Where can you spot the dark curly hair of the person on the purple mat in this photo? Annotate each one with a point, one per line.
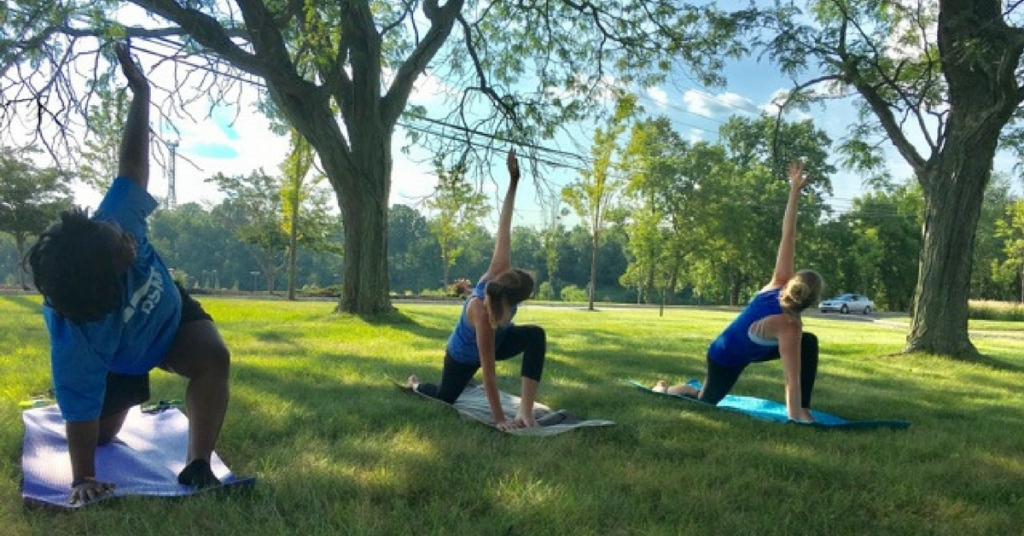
(77, 265)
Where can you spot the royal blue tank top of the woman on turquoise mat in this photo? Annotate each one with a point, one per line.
(735, 347)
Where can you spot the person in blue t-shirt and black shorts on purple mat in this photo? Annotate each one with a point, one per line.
(114, 314)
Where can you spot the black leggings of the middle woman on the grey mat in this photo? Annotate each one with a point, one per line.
(529, 341)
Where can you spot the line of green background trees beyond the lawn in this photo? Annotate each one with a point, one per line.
(690, 224)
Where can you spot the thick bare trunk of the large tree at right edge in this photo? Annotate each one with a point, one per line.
(979, 55)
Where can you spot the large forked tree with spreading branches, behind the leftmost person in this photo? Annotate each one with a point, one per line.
(342, 74)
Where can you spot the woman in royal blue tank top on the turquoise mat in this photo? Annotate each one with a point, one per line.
(771, 327)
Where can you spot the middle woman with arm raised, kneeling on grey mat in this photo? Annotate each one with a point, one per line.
(485, 334)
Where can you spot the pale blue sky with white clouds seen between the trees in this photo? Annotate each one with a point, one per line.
(239, 141)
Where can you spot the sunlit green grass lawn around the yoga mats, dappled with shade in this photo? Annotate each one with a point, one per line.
(339, 451)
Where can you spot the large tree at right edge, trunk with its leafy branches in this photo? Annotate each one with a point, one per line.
(941, 81)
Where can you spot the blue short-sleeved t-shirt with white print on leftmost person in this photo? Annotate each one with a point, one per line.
(133, 339)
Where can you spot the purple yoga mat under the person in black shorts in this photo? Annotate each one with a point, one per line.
(144, 460)
